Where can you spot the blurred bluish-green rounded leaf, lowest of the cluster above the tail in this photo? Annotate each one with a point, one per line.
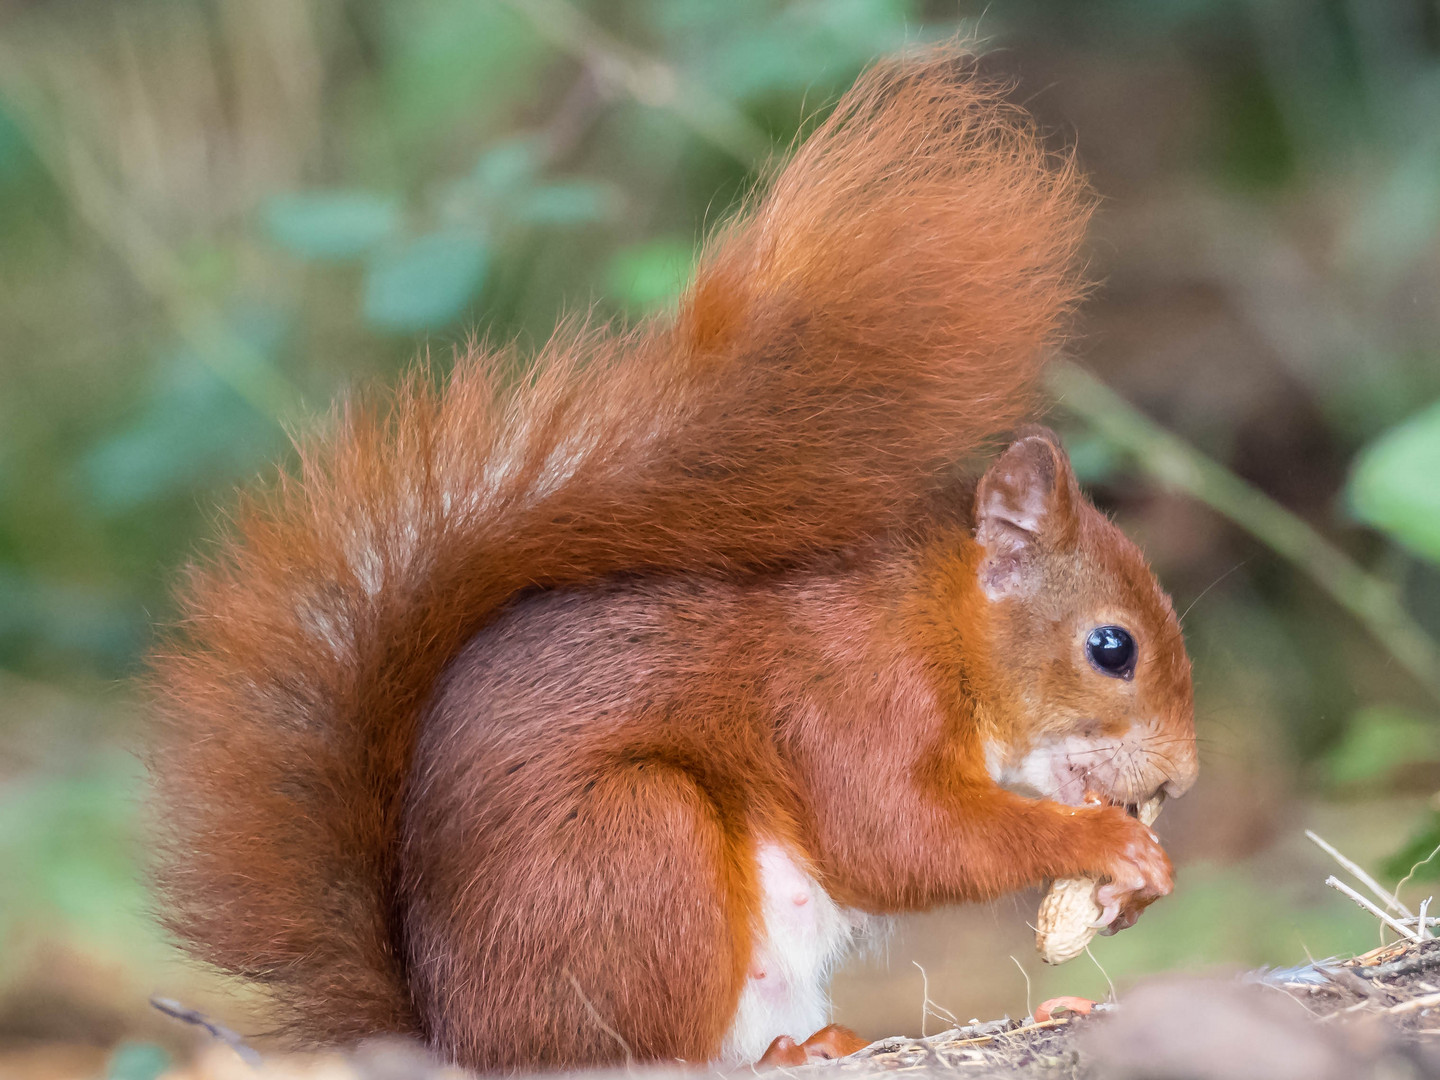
(427, 283)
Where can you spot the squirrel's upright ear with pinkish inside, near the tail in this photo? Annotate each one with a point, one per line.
(1027, 502)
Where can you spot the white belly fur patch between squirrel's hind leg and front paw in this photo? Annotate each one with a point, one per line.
(804, 935)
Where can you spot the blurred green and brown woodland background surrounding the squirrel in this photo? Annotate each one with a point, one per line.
(218, 214)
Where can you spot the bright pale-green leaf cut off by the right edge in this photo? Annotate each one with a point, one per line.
(1393, 486)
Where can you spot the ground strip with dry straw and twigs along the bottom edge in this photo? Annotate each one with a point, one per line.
(1370, 1017)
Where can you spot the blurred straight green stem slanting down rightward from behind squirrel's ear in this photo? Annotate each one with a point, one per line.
(1180, 467)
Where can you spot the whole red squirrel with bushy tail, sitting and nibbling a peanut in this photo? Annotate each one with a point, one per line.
(584, 712)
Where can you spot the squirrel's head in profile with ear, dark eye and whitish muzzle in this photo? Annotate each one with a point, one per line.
(1086, 689)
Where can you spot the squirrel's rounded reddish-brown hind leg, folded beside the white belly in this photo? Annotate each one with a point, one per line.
(577, 921)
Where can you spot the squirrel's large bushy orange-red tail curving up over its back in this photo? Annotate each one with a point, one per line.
(878, 316)
